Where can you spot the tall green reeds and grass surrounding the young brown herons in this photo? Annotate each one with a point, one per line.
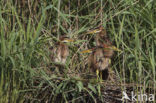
(29, 28)
